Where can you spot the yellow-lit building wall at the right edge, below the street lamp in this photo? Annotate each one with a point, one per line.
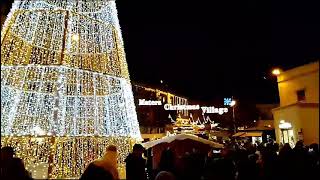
(303, 115)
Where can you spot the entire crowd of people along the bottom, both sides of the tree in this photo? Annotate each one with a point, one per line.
(236, 161)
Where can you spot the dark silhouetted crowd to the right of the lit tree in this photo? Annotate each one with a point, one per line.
(236, 161)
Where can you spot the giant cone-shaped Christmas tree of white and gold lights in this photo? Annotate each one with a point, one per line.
(65, 87)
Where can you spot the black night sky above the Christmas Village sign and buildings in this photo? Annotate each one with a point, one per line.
(207, 50)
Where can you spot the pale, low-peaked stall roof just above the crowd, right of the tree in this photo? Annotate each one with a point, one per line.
(170, 139)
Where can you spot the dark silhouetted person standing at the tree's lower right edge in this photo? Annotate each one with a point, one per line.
(135, 164)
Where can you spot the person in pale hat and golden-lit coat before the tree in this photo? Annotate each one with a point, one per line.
(103, 168)
